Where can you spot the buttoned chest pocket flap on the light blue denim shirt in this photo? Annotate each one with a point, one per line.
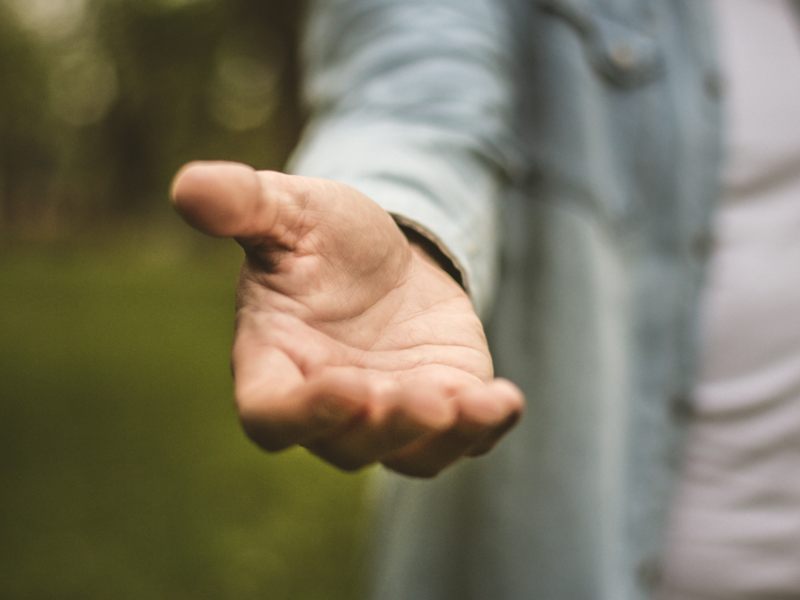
(622, 55)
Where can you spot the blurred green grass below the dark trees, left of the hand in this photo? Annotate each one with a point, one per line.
(124, 471)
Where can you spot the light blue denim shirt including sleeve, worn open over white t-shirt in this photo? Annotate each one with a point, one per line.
(565, 155)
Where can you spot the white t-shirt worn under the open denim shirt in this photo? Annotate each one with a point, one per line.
(736, 524)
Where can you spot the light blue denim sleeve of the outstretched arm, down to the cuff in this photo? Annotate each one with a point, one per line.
(410, 104)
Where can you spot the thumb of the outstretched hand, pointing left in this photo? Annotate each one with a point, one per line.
(223, 199)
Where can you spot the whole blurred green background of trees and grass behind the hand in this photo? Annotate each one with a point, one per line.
(124, 472)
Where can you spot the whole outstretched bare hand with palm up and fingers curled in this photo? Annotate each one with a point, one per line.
(349, 340)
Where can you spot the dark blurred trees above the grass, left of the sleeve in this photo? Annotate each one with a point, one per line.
(105, 99)
